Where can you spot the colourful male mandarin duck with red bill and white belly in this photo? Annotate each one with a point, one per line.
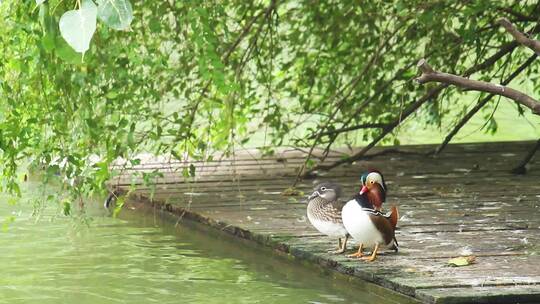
(368, 226)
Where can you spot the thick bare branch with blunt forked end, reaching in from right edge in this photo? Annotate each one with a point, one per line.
(430, 75)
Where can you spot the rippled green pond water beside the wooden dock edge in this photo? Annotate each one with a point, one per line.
(141, 257)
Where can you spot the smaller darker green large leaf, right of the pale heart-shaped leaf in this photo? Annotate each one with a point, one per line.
(117, 14)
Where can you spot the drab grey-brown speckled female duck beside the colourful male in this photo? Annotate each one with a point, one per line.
(324, 213)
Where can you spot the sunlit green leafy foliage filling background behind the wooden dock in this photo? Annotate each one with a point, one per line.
(193, 77)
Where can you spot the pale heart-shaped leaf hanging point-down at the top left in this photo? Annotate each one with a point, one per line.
(78, 26)
